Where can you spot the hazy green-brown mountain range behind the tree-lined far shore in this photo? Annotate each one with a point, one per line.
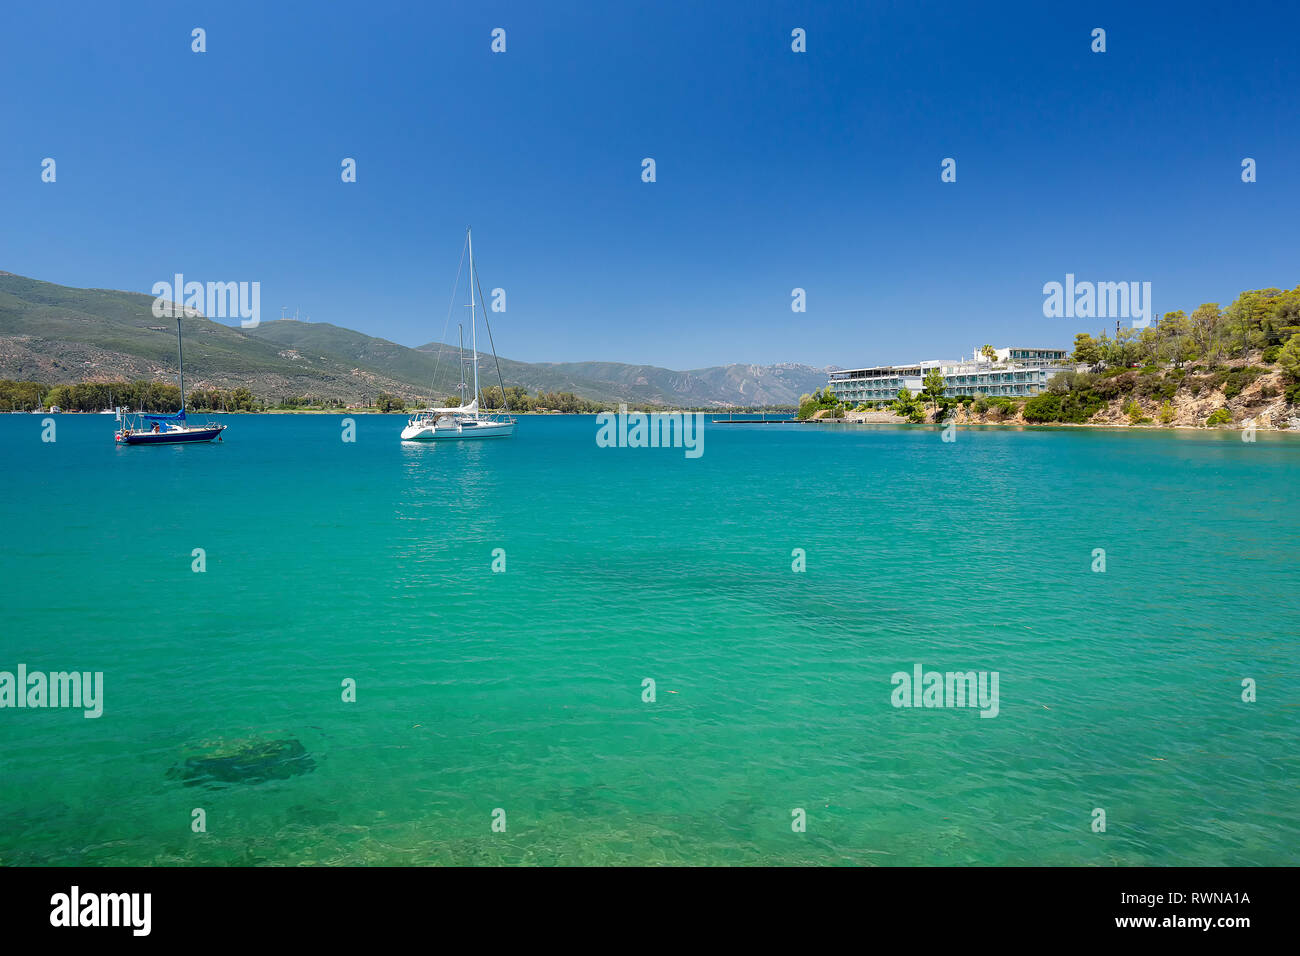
(60, 335)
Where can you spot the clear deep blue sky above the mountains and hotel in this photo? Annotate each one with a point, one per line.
(775, 170)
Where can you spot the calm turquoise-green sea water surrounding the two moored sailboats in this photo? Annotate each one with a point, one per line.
(523, 691)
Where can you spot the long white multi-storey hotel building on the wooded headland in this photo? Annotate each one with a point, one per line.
(1015, 373)
